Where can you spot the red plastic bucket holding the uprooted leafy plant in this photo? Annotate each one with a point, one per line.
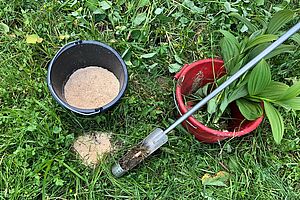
(196, 74)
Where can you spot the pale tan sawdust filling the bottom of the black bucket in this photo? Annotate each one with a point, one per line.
(91, 87)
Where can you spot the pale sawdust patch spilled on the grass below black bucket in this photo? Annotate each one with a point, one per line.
(92, 147)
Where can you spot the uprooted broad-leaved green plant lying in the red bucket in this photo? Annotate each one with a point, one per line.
(255, 88)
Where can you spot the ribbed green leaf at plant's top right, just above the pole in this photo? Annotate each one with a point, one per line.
(279, 20)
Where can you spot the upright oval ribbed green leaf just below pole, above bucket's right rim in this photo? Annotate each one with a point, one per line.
(260, 78)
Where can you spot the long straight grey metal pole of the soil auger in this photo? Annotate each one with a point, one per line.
(238, 74)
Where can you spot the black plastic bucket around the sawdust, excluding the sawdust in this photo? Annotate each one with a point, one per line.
(81, 54)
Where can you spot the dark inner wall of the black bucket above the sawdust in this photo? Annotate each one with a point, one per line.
(81, 55)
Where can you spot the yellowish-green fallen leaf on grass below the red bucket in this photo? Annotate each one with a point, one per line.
(217, 180)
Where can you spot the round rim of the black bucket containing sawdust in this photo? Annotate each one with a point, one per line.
(87, 112)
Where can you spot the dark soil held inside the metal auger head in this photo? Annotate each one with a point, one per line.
(133, 157)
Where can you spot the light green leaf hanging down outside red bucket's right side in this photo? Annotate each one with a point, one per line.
(275, 120)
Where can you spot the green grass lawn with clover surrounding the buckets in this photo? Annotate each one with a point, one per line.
(36, 134)
